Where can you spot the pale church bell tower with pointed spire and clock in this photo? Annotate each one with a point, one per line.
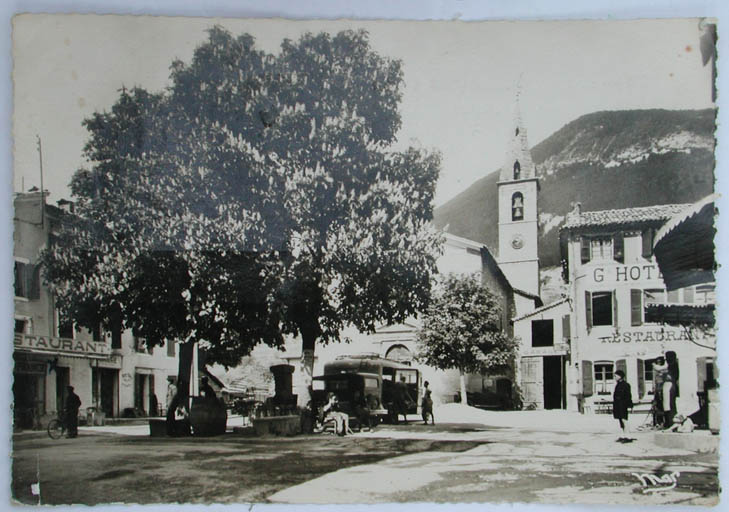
(518, 187)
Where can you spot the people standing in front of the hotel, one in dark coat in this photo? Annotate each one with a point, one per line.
(665, 391)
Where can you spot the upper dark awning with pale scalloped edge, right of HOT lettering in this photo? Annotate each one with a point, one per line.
(684, 246)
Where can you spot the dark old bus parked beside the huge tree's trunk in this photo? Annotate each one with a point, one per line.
(368, 383)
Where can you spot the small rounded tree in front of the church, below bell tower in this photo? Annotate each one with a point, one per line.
(461, 329)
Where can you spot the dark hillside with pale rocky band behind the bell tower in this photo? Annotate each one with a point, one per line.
(604, 160)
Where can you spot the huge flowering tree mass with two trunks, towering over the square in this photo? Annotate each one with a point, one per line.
(258, 196)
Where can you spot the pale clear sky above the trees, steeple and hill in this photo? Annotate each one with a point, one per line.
(460, 79)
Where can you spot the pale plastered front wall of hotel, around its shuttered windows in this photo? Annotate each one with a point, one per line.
(623, 340)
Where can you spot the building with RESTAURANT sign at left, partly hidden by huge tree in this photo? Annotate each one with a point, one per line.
(110, 371)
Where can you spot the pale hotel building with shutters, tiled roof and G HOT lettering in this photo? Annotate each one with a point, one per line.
(614, 284)
